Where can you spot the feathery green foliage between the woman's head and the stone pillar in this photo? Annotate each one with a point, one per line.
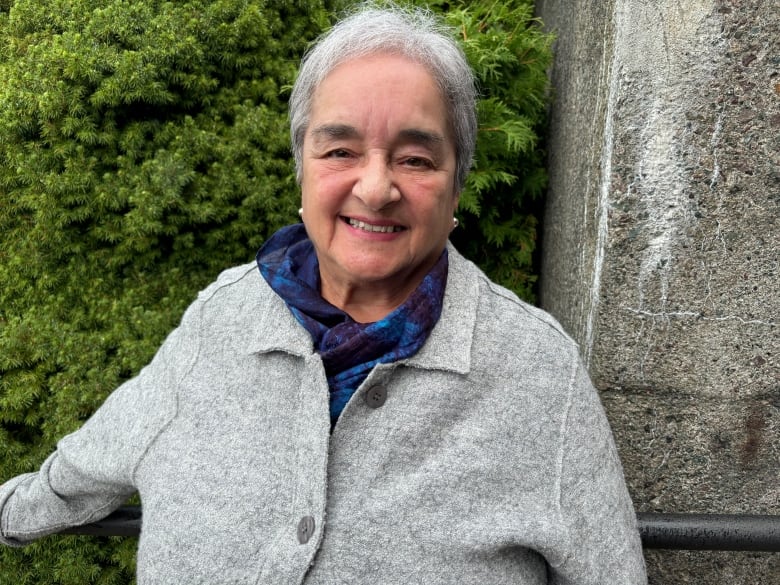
(510, 55)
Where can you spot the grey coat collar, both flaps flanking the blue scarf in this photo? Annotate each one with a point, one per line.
(448, 347)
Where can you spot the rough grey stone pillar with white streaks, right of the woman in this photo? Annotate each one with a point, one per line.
(661, 250)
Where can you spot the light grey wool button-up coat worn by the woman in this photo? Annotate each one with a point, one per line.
(484, 459)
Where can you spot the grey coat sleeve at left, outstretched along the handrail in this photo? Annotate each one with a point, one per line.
(91, 473)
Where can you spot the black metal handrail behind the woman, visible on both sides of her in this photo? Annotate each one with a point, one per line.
(668, 531)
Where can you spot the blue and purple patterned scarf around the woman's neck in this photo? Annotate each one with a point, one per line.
(349, 350)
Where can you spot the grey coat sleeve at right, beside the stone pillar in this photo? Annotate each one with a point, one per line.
(603, 540)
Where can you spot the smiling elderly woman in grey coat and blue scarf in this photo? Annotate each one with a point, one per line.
(362, 405)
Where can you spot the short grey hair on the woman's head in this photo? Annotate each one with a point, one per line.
(413, 33)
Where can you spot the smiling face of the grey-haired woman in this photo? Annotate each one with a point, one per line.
(378, 182)
